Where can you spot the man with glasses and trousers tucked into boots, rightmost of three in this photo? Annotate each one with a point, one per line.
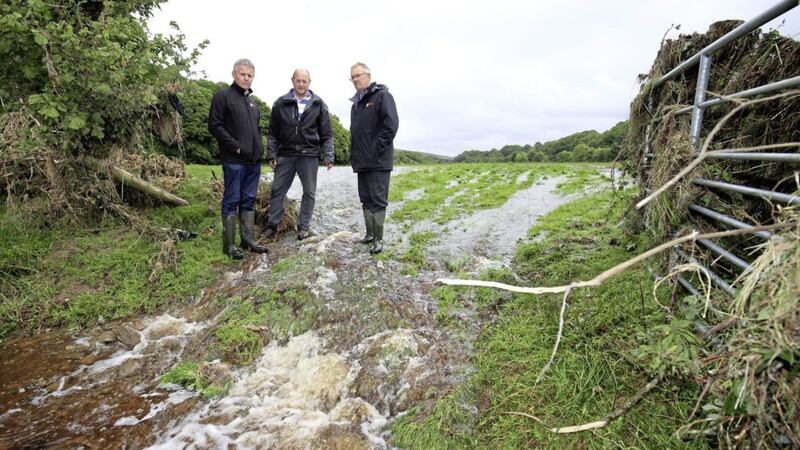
(373, 126)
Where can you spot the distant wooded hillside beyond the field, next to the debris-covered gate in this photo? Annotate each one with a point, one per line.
(582, 146)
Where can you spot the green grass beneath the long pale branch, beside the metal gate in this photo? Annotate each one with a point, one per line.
(594, 370)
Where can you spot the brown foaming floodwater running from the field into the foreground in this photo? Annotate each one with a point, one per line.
(373, 352)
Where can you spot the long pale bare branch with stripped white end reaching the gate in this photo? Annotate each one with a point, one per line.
(619, 268)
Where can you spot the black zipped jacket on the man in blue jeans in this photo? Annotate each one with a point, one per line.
(233, 121)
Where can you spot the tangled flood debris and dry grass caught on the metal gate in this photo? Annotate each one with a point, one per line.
(749, 394)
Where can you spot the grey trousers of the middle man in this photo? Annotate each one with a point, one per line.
(287, 166)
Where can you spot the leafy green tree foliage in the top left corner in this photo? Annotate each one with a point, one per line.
(88, 72)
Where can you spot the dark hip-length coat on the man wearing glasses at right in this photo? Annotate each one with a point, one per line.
(373, 126)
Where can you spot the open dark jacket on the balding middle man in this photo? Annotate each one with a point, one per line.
(309, 136)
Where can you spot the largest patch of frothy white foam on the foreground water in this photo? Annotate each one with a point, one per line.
(294, 393)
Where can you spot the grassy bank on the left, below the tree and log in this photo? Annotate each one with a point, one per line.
(62, 275)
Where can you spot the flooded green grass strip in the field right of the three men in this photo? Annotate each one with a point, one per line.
(449, 191)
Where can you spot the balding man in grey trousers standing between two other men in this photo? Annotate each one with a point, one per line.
(299, 137)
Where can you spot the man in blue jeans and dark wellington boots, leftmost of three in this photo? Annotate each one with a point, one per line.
(233, 121)
